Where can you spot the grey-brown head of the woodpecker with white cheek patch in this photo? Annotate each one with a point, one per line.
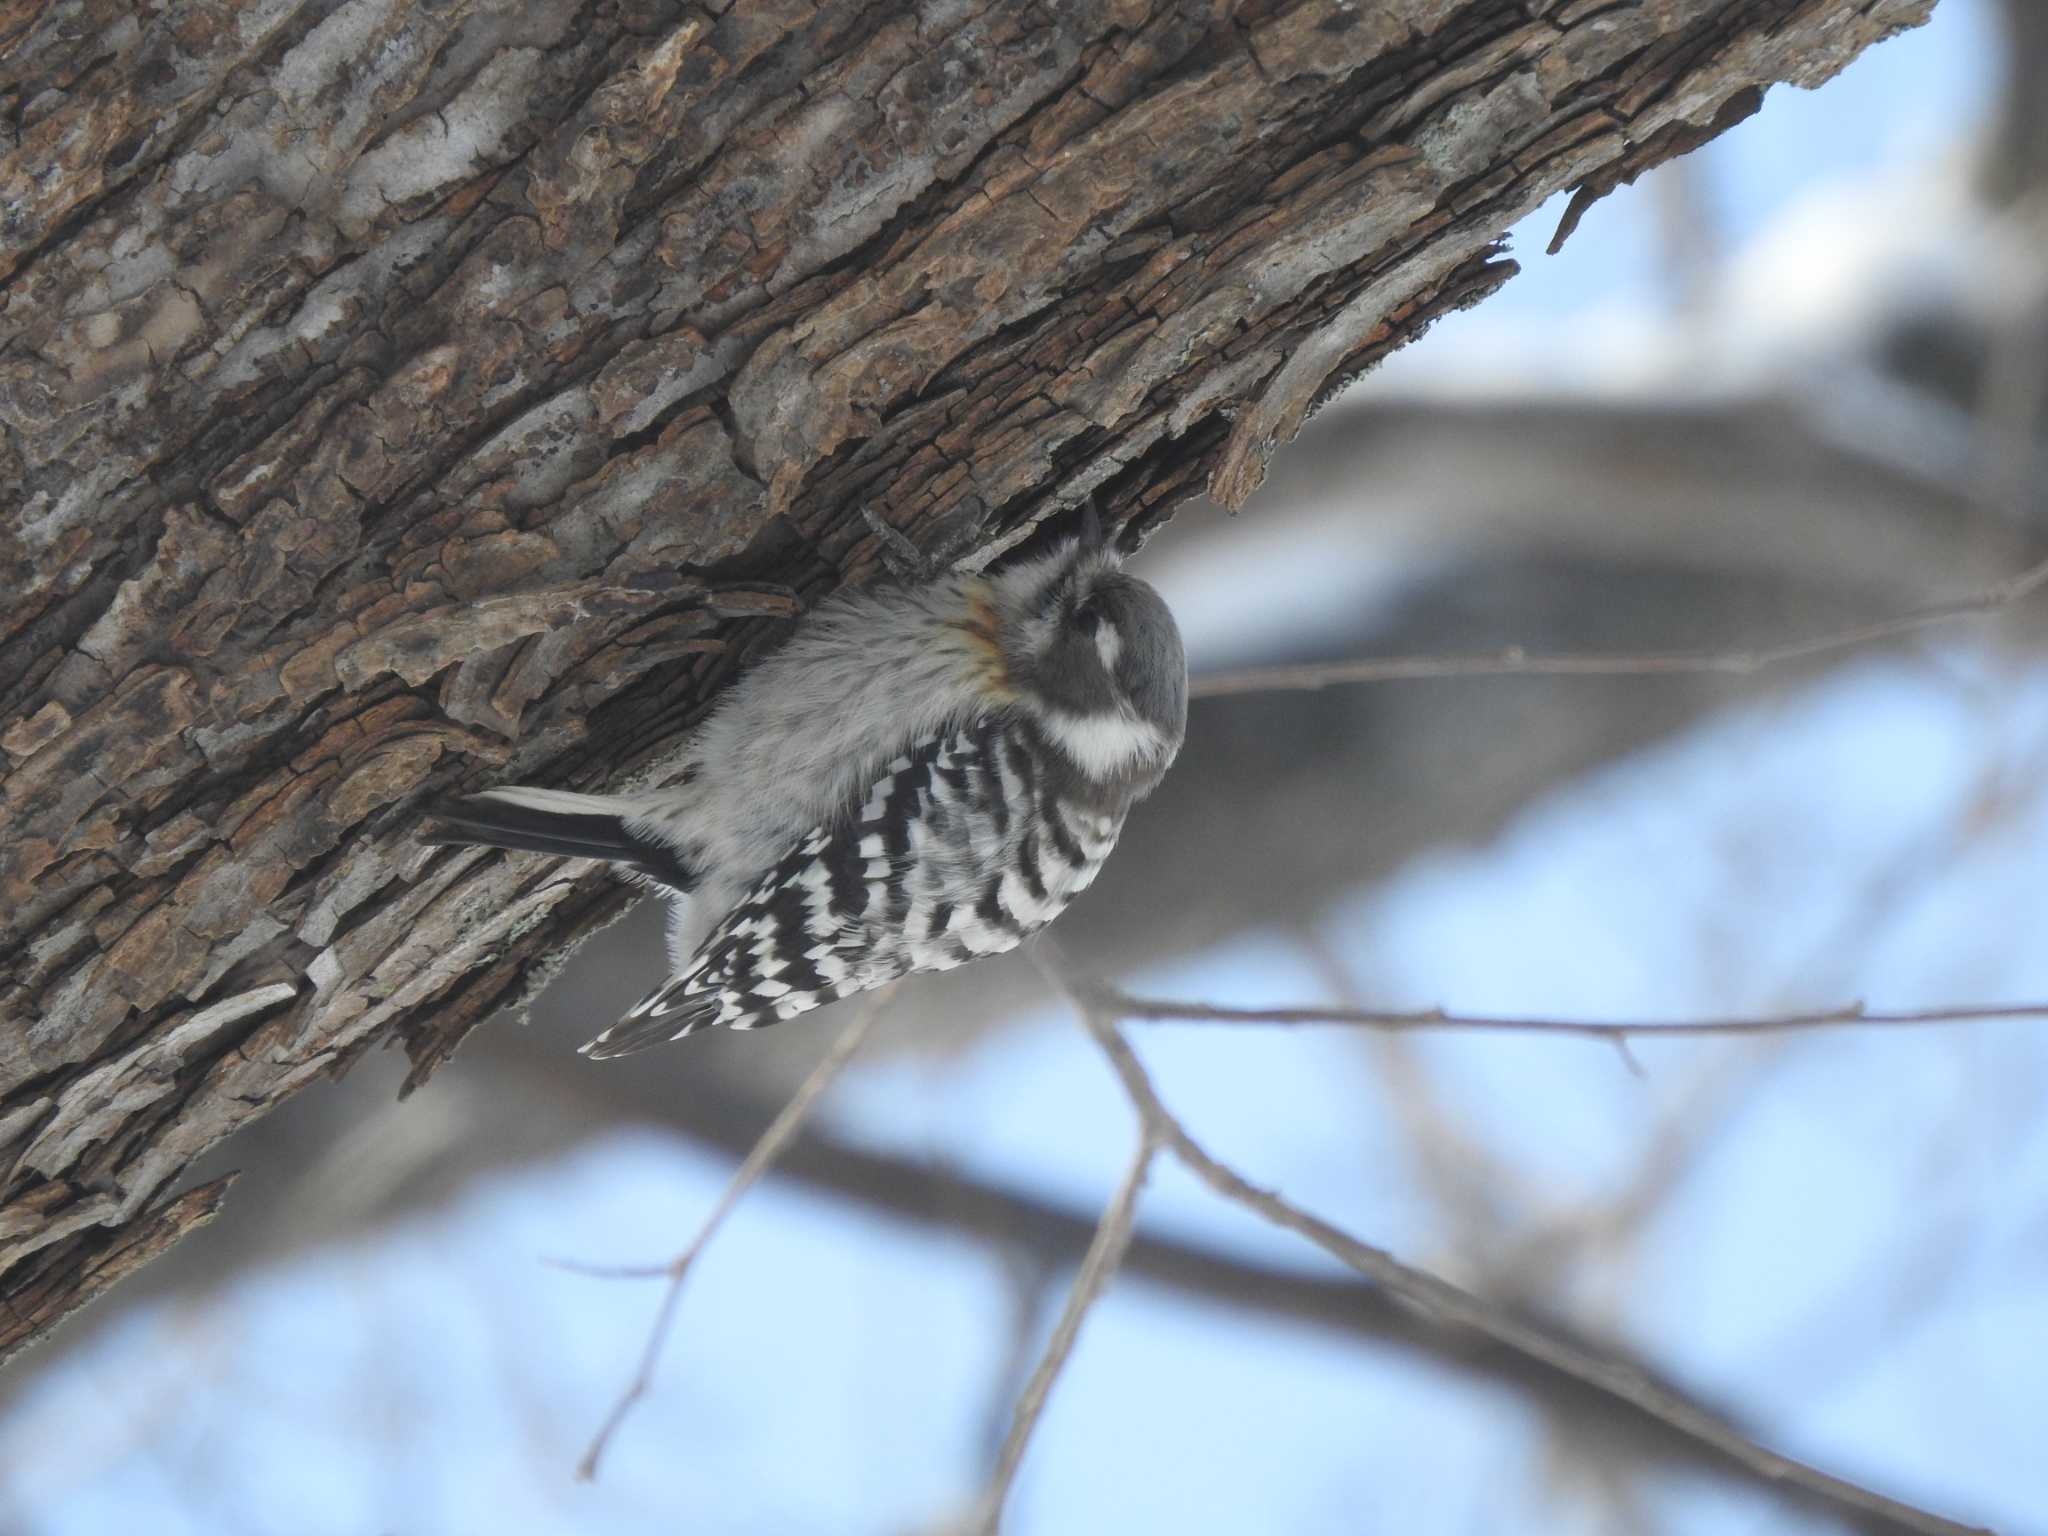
(1097, 663)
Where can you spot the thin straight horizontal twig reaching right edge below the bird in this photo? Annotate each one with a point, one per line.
(1164, 1011)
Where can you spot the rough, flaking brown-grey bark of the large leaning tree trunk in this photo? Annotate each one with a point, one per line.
(407, 394)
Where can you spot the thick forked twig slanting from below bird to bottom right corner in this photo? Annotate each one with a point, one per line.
(1449, 1306)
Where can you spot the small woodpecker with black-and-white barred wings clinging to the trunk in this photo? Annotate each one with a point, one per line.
(923, 775)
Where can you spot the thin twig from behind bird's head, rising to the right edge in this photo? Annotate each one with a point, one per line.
(1519, 663)
